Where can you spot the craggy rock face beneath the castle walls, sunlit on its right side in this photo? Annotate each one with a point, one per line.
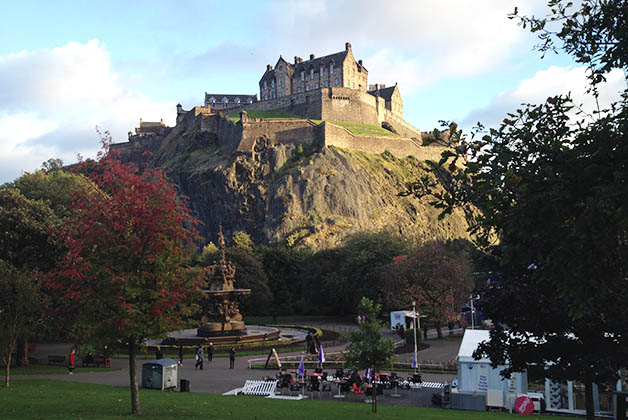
(307, 195)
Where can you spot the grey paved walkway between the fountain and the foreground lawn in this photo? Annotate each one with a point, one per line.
(217, 378)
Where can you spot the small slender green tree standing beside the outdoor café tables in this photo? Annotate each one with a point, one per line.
(367, 346)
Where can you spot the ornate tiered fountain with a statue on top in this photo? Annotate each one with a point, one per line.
(223, 317)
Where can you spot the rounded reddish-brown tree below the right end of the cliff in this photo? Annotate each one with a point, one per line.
(437, 278)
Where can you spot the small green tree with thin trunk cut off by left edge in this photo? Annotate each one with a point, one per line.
(20, 310)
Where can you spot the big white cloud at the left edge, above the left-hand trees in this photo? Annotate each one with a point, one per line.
(51, 101)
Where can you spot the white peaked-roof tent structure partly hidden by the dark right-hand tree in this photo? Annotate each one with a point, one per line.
(478, 377)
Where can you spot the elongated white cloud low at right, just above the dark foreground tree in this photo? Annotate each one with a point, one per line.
(552, 81)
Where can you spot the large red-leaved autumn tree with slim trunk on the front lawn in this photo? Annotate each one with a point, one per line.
(125, 276)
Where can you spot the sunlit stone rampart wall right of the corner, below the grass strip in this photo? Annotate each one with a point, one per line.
(400, 147)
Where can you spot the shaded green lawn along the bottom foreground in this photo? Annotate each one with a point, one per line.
(60, 400)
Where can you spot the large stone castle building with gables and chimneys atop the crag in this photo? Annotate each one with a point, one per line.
(335, 70)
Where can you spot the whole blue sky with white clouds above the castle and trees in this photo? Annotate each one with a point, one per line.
(69, 69)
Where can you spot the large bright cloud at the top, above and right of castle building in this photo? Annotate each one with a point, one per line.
(411, 42)
